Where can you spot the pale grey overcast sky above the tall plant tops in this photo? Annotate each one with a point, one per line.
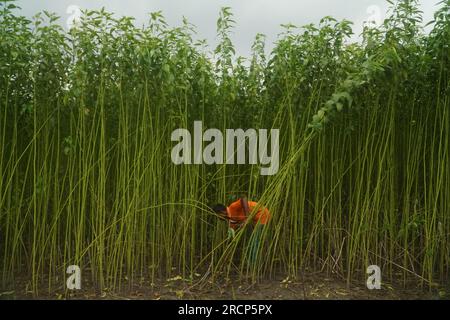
(251, 16)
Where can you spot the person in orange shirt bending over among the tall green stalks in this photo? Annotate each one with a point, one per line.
(237, 213)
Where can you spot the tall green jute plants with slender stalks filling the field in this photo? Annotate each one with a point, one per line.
(86, 175)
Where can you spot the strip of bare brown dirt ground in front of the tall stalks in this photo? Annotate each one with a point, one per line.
(313, 287)
